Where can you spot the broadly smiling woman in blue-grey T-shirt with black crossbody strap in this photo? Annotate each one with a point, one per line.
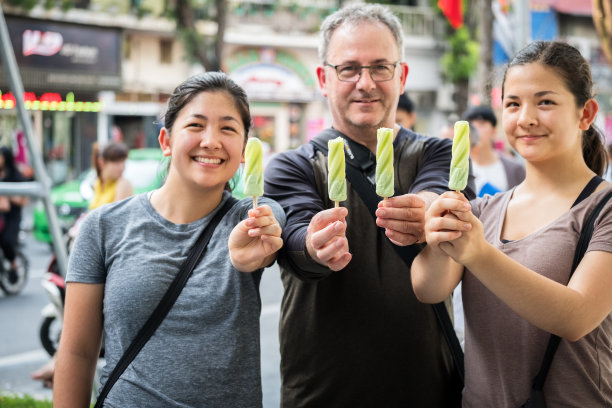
(206, 351)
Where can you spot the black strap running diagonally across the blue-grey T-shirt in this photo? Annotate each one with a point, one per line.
(167, 301)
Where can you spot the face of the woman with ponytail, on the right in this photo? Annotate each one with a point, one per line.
(540, 116)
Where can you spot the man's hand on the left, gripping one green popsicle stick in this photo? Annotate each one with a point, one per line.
(326, 241)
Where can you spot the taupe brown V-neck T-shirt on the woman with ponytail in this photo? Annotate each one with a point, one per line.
(503, 352)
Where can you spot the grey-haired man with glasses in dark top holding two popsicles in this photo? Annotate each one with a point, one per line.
(352, 333)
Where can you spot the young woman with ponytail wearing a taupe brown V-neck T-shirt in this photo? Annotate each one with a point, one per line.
(513, 251)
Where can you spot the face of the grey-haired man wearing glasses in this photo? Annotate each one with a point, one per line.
(359, 108)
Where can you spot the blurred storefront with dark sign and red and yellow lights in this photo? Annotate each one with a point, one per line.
(63, 68)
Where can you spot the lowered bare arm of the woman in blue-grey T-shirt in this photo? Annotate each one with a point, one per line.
(79, 345)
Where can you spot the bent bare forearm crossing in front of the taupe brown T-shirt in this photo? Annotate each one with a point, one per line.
(570, 311)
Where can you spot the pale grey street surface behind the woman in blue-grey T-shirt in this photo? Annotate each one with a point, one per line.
(20, 317)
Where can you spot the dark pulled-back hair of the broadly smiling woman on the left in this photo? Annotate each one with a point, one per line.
(207, 82)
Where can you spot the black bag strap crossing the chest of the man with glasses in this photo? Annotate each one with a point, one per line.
(366, 192)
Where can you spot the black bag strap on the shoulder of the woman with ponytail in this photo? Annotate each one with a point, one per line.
(581, 247)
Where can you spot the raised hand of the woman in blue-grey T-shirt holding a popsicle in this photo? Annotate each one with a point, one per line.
(253, 243)
